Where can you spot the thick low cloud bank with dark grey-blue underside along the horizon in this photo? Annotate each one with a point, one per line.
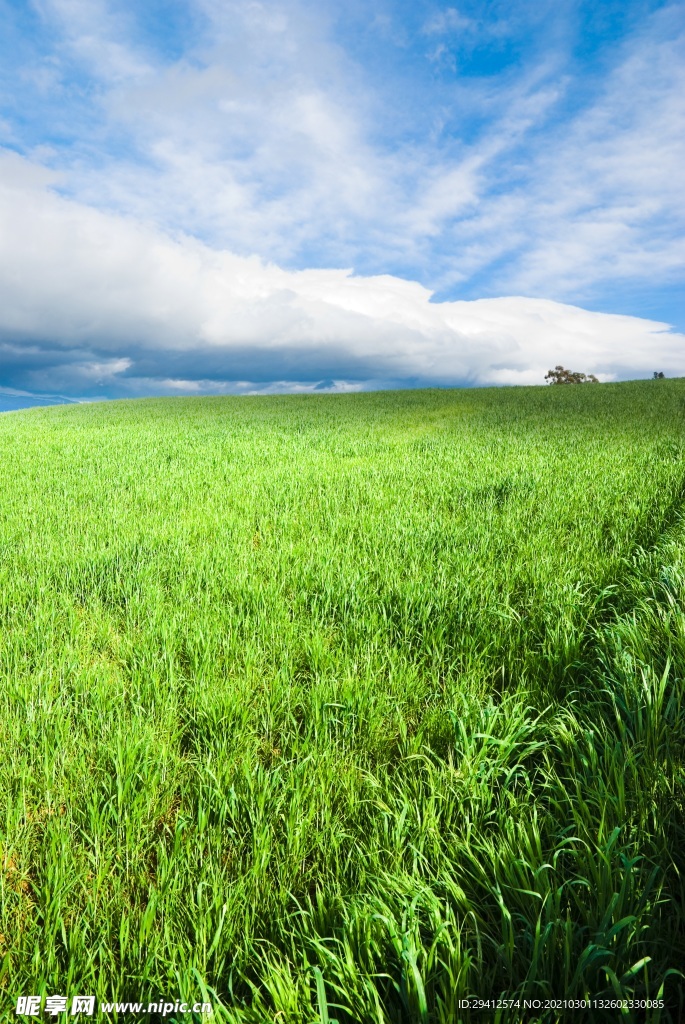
(96, 304)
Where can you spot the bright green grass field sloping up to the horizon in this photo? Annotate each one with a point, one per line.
(347, 708)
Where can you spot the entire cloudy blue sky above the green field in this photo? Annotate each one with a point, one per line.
(204, 195)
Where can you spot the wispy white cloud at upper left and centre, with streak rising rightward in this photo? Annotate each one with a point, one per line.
(269, 141)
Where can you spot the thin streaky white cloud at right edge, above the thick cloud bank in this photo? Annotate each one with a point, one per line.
(600, 197)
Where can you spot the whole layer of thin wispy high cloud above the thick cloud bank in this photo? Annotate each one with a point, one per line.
(267, 138)
